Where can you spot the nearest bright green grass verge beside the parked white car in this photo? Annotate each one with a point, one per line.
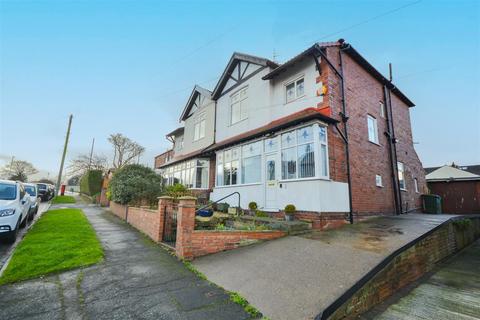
(61, 239)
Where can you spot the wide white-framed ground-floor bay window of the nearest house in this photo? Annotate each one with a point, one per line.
(302, 154)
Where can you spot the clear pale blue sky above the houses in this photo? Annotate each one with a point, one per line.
(129, 66)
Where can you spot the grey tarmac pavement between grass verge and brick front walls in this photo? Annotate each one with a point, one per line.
(137, 280)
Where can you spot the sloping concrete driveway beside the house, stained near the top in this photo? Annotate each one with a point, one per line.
(298, 277)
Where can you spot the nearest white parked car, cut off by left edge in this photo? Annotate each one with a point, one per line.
(14, 208)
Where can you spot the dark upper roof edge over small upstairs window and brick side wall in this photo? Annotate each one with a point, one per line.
(347, 48)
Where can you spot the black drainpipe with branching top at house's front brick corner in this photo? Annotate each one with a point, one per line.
(344, 117)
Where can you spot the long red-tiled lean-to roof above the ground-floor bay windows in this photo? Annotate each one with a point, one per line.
(276, 125)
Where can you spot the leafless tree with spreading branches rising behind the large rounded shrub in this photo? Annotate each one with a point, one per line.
(126, 151)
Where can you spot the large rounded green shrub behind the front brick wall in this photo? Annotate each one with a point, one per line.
(135, 184)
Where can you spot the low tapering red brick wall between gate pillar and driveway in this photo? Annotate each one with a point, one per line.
(212, 241)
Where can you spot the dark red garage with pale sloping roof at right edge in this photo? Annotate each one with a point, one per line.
(459, 187)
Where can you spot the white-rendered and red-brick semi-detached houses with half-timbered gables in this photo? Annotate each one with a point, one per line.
(324, 131)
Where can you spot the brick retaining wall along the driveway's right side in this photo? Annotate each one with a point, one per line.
(409, 266)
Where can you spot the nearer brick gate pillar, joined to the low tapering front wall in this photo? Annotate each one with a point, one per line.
(185, 227)
